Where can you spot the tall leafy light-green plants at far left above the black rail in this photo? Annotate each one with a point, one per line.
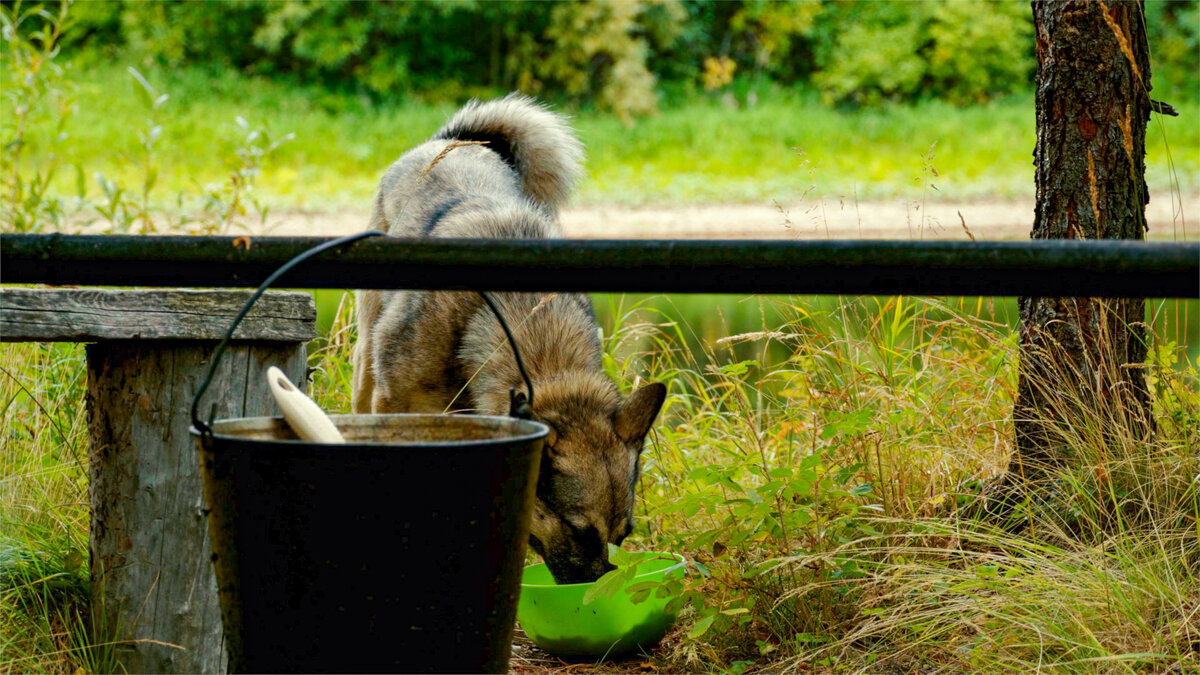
(44, 100)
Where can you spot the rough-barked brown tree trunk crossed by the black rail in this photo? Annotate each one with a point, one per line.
(1081, 380)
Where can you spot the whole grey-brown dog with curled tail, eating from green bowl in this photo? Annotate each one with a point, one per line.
(501, 170)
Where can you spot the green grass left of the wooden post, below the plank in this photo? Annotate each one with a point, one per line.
(44, 510)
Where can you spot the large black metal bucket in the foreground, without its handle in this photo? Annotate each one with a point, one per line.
(399, 552)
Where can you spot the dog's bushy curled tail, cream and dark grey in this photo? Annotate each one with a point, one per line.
(536, 142)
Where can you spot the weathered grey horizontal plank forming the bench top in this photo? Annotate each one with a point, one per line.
(87, 315)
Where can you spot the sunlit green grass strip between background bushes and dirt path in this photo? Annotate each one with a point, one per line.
(703, 152)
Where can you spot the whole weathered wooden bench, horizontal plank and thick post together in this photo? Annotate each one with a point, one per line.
(153, 586)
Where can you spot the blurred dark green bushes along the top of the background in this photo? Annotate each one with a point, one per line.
(616, 55)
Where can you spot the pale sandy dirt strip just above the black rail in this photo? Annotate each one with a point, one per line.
(820, 219)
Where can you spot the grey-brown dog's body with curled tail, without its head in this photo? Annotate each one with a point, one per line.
(495, 170)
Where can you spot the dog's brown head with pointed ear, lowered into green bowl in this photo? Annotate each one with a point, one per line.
(590, 471)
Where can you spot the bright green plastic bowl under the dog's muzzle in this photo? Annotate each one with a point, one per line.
(556, 619)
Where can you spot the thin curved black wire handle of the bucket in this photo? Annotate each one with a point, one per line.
(521, 405)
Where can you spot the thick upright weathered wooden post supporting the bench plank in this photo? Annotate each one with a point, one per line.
(154, 592)
